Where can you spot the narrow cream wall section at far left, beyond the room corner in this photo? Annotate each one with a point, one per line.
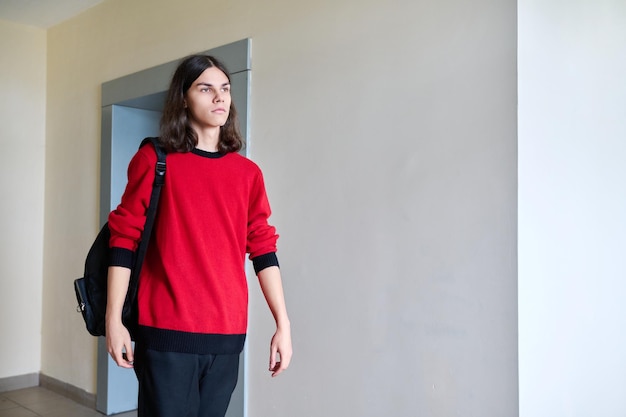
(22, 134)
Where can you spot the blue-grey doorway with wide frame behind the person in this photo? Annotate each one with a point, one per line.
(131, 108)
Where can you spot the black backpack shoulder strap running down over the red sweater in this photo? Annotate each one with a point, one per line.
(159, 180)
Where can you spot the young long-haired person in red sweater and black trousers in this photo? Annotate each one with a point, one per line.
(192, 296)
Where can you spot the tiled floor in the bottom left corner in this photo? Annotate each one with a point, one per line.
(41, 402)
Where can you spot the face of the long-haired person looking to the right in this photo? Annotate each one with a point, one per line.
(208, 99)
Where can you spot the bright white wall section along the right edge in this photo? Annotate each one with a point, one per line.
(572, 206)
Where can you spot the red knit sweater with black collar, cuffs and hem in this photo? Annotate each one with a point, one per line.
(213, 209)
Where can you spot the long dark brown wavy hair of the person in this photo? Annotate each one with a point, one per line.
(177, 135)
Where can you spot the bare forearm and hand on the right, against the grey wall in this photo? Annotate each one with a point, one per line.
(280, 346)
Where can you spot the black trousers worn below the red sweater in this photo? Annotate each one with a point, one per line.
(184, 385)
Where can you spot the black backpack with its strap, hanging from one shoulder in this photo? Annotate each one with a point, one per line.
(91, 289)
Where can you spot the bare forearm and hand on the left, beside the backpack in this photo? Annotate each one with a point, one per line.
(117, 335)
